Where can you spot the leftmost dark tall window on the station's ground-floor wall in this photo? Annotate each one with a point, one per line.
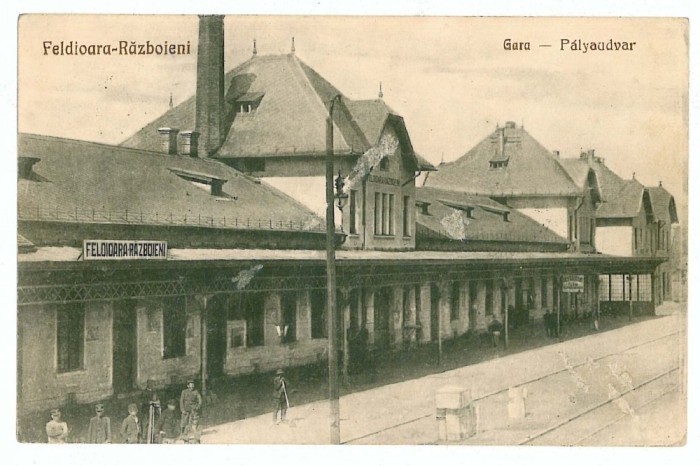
(70, 338)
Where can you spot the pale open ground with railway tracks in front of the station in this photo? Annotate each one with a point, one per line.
(576, 390)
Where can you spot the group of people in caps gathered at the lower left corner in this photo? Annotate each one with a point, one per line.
(166, 426)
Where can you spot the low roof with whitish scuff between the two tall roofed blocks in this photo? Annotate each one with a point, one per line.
(464, 217)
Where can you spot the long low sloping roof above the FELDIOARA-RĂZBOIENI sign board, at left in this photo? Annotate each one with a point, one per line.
(81, 176)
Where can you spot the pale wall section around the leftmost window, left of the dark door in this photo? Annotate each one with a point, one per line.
(41, 385)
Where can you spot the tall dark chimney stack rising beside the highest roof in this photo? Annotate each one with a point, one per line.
(210, 84)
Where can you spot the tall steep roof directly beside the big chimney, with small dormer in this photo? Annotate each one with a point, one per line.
(290, 118)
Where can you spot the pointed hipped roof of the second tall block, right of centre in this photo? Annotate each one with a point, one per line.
(531, 170)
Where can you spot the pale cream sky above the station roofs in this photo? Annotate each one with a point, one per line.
(449, 77)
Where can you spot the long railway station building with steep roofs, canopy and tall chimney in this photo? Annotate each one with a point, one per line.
(242, 286)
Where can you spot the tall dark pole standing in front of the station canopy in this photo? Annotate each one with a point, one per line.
(333, 391)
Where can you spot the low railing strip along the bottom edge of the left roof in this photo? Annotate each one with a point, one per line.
(131, 217)
